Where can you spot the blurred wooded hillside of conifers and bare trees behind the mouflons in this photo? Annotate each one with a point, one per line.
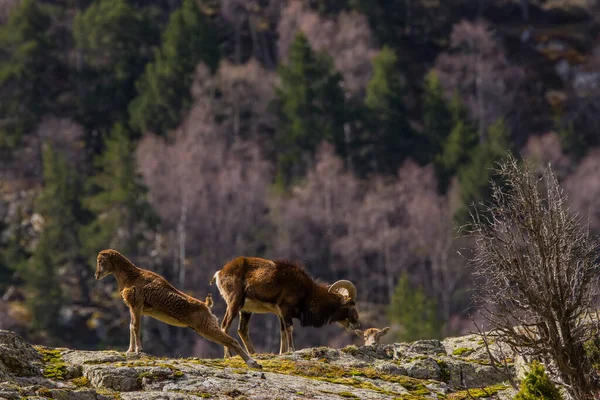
(349, 134)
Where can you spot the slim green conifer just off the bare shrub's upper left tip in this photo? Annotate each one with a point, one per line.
(475, 177)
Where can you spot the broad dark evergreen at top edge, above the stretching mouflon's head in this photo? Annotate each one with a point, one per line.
(116, 42)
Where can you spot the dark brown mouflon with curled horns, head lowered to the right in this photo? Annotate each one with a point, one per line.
(256, 285)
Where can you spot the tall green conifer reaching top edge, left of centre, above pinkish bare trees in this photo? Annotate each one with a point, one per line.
(164, 88)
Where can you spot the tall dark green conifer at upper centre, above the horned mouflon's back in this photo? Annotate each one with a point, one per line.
(310, 104)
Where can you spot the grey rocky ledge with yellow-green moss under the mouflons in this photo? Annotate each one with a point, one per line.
(455, 368)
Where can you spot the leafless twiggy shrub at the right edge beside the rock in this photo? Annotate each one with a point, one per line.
(539, 273)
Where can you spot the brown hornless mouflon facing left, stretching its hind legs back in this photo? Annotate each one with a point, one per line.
(147, 293)
